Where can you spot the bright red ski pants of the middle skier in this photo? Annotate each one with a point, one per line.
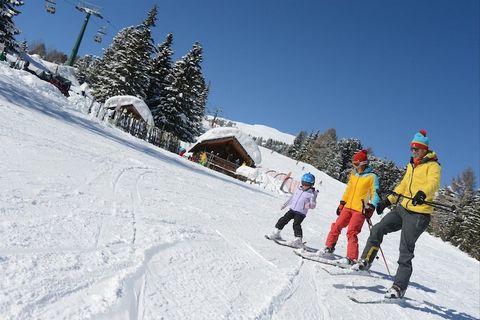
(354, 220)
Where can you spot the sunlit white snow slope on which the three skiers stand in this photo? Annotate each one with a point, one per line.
(97, 224)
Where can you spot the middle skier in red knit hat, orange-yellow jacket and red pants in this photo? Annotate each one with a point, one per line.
(357, 204)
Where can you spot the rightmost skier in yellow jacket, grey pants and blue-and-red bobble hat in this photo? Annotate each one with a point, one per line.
(412, 214)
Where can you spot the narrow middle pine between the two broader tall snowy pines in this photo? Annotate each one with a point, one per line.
(161, 66)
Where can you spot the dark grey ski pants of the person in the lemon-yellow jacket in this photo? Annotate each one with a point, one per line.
(412, 226)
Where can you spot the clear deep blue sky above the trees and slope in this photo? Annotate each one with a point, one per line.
(375, 70)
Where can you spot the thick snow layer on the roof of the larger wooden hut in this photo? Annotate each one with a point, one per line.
(245, 140)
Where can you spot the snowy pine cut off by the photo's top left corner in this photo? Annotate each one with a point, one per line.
(8, 30)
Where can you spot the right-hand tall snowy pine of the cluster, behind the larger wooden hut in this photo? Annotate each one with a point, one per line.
(186, 96)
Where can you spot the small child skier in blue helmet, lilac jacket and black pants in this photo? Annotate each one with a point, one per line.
(304, 198)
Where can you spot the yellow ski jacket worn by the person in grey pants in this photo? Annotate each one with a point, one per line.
(425, 177)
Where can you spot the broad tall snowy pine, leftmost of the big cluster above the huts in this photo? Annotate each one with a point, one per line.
(126, 64)
